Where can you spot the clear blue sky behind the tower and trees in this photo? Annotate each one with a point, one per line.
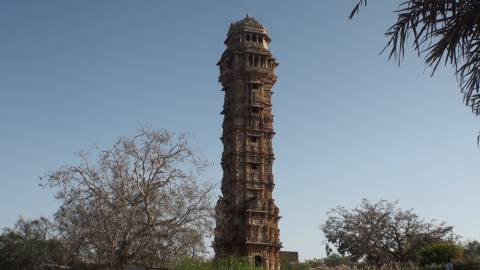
(349, 124)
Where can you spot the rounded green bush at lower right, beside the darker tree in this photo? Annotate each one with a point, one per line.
(440, 253)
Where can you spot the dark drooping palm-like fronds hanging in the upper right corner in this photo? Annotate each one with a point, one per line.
(444, 31)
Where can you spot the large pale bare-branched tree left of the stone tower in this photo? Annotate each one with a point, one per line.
(140, 202)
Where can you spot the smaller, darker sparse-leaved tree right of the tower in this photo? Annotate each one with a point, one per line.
(380, 233)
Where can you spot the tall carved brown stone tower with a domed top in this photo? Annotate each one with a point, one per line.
(247, 218)
